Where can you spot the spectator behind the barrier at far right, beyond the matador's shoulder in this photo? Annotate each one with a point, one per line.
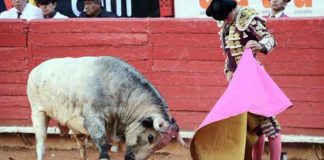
(278, 8)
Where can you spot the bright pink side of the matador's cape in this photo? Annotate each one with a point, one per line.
(251, 90)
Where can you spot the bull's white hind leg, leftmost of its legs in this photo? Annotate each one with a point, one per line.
(40, 122)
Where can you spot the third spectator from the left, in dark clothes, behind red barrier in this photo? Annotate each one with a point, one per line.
(94, 8)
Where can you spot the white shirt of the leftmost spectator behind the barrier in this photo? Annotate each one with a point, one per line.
(30, 12)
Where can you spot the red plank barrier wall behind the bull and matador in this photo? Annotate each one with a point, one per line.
(180, 56)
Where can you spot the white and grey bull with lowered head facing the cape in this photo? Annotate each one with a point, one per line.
(103, 97)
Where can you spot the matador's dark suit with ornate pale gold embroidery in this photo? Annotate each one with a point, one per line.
(248, 26)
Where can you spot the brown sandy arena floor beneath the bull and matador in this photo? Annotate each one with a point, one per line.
(22, 147)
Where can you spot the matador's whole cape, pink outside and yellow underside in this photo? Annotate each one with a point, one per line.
(227, 131)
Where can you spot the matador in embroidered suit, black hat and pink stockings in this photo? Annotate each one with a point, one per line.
(244, 28)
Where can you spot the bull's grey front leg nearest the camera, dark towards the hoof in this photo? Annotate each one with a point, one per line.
(96, 128)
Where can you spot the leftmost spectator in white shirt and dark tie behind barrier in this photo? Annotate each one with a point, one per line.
(22, 10)
